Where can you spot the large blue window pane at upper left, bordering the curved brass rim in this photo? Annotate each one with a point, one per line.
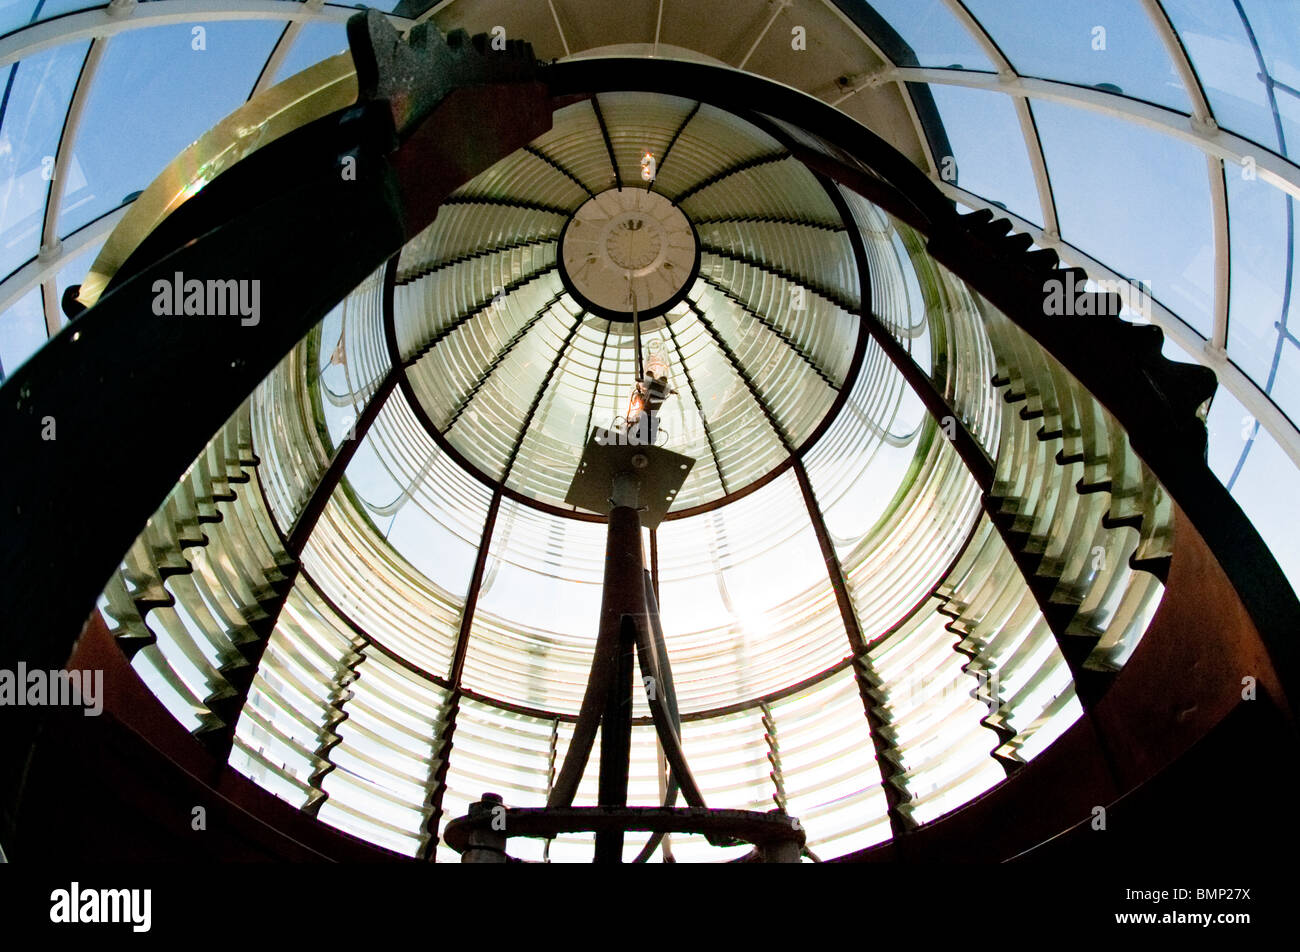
(157, 92)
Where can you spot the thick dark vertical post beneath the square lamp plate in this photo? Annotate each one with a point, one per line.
(622, 604)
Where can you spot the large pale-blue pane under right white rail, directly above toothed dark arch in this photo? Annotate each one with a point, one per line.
(1137, 201)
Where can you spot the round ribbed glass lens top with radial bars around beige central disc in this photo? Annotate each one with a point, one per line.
(742, 267)
